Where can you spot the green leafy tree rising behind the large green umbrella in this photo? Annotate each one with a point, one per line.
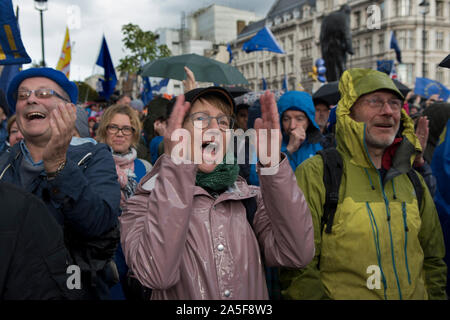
(143, 47)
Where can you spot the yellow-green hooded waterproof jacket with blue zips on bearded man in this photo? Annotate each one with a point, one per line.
(382, 246)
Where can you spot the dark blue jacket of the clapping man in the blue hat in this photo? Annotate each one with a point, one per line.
(85, 195)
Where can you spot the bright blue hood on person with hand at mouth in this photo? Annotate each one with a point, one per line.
(301, 101)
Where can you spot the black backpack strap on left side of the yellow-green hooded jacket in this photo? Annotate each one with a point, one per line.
(332, 174)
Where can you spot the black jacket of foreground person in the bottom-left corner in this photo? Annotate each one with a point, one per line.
(33, 259)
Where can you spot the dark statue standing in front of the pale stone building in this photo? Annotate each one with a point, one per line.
(336, 42)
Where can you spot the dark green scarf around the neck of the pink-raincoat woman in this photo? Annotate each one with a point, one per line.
(222, 177)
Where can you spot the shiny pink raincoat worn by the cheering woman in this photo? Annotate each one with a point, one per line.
(186, 244)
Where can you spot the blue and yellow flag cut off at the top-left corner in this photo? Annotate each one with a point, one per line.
(12, 50)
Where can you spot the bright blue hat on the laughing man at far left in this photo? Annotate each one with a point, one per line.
(60, 78)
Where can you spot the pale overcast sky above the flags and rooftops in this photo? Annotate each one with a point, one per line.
(98, 17)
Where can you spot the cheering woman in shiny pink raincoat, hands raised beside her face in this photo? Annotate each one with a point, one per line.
(185, 233)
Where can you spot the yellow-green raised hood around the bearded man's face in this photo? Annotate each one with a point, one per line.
(350, 134)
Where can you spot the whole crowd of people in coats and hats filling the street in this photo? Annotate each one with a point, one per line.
(349, 202)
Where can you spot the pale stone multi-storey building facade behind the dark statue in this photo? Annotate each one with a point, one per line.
(296, 26)
